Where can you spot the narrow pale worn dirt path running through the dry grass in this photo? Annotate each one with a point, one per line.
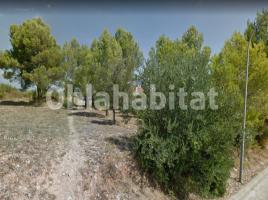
(66, 177)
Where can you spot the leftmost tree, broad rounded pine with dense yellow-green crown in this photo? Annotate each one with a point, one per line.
(35, 57)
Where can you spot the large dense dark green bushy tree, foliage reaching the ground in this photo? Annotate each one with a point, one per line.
(184, 150)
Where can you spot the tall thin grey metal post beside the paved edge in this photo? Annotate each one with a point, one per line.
(242, 153)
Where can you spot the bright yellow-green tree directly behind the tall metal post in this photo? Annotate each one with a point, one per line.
(229, 75)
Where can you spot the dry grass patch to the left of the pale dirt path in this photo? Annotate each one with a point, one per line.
(29, 138)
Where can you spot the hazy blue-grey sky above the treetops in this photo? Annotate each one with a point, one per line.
(146, 25)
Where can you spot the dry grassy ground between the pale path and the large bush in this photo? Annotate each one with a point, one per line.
(110, 171)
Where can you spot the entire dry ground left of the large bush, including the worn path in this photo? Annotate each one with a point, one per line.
(46, 154)
